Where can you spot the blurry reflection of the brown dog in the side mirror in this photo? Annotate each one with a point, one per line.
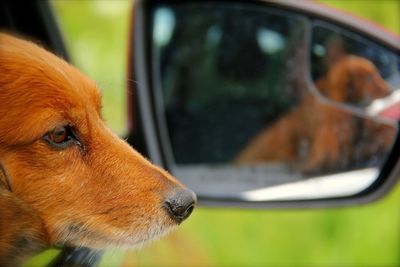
(320, 136)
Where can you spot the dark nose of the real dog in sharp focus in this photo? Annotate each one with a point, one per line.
(181, 204)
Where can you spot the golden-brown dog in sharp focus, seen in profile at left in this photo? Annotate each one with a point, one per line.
(65, 177)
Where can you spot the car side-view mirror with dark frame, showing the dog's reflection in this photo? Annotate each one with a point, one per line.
(267, 104)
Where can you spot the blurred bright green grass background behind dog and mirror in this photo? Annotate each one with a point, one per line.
(369, 235)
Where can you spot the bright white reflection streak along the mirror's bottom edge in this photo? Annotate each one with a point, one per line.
(336, 185)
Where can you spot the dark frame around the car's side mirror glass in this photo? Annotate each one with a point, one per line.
(142, 97)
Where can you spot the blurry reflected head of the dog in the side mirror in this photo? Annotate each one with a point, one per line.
(355, 80)
